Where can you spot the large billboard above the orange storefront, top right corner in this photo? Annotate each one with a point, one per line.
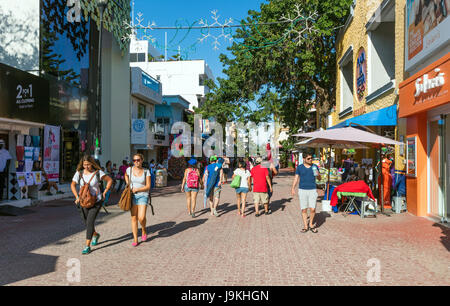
(427, 25)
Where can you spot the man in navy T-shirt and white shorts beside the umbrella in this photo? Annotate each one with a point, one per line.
(305, 177)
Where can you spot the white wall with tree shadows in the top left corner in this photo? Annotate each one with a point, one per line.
(19, 33)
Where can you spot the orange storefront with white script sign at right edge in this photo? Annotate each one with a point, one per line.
(425, 103)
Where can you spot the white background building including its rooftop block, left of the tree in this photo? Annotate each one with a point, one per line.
(183, 78)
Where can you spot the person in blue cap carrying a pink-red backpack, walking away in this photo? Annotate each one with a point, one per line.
(191, 185)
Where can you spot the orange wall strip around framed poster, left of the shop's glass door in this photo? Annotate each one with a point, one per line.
(416, 188)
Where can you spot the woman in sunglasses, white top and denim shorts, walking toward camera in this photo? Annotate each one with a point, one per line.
(139, 180)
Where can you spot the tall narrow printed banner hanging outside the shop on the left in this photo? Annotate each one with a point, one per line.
(52, 152)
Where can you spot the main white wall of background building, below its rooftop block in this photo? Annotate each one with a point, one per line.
(179, 78)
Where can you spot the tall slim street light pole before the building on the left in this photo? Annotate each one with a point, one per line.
(101, 4)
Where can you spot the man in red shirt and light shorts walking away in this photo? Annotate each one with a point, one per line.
(261, 179)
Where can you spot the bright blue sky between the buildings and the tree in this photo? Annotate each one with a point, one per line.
(188, 12)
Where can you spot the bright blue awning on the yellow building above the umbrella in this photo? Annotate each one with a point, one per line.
(382, 117)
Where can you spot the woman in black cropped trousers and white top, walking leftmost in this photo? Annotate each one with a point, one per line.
(89, 172)
